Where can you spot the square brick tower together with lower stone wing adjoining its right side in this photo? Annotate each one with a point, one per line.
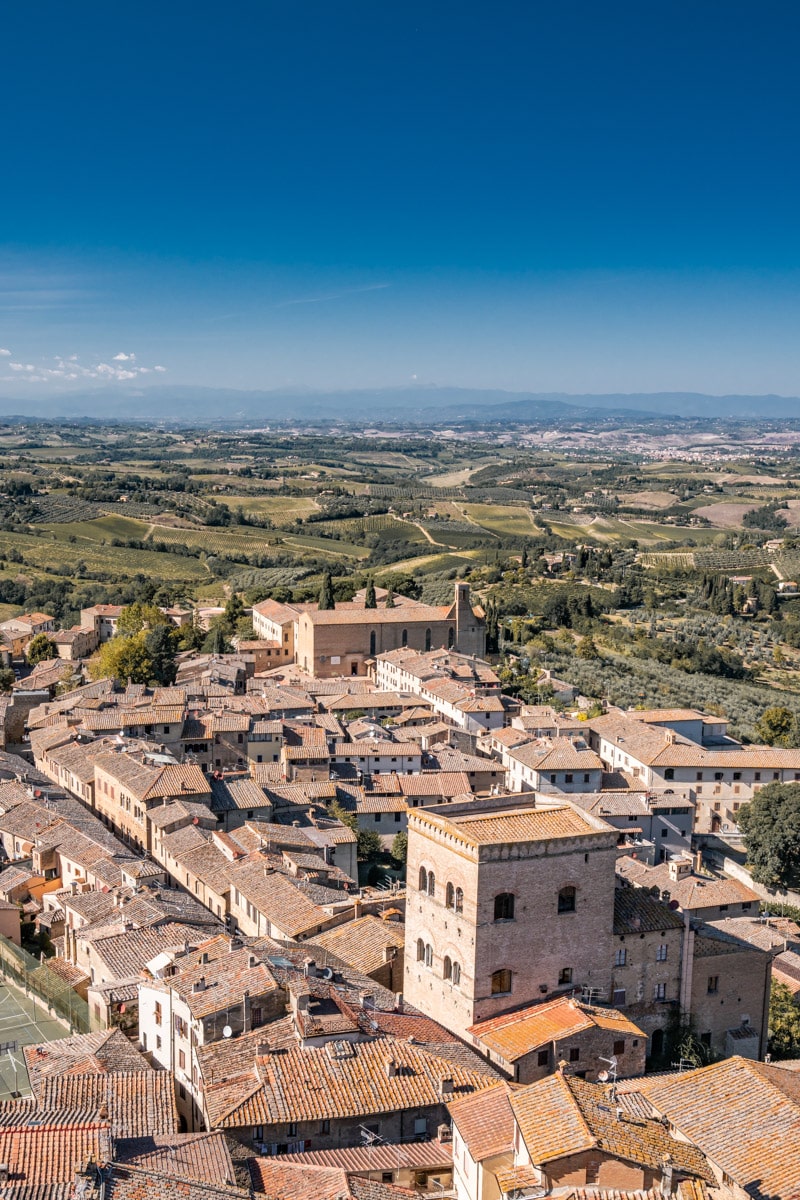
(515, 899)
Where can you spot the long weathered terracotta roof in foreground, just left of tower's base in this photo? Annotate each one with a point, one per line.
(338, 1082)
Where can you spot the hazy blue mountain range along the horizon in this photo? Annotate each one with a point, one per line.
(420, 406)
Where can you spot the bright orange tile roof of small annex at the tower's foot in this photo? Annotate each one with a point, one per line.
(515, 1035)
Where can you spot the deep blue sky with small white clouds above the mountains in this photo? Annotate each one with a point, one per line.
(567, 196)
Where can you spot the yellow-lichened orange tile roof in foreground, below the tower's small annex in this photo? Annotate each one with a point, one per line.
(564, 1115)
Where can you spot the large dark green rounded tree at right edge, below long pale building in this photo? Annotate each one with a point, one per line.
(772, 829)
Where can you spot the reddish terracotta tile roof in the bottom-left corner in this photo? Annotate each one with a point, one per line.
(49, 1154)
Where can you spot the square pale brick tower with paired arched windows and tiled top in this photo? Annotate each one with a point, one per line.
(508, 903)
